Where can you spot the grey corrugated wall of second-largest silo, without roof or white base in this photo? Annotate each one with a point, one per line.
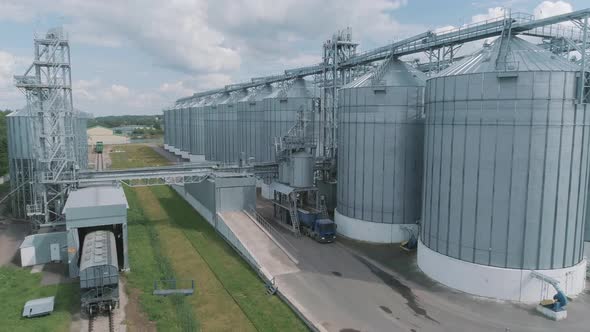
(380, 146)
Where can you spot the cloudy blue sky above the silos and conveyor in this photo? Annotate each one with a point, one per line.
(137, 57)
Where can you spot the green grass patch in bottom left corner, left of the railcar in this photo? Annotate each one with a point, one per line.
(18, 286)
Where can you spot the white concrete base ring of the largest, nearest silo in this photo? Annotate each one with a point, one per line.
(498, 283)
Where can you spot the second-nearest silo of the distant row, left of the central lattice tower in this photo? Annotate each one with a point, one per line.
(251, 123)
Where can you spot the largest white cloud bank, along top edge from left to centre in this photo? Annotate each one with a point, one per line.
(201, 37)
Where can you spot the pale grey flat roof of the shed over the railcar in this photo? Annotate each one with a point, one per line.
(96, 196)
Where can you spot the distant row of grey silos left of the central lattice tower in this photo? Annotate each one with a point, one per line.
(229, 126)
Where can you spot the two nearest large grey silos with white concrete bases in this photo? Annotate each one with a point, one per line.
(495, 175)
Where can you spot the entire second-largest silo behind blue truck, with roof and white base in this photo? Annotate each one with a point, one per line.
(380, 140)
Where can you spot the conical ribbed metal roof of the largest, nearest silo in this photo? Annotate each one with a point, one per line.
(521, 56)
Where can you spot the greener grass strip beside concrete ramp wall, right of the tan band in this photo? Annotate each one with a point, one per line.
(267, 313)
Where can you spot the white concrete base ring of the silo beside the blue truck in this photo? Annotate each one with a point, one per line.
(367, 231)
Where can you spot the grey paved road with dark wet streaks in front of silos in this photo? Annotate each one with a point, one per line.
(349, 286)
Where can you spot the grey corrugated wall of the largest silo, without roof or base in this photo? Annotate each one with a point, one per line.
(506, 168)
